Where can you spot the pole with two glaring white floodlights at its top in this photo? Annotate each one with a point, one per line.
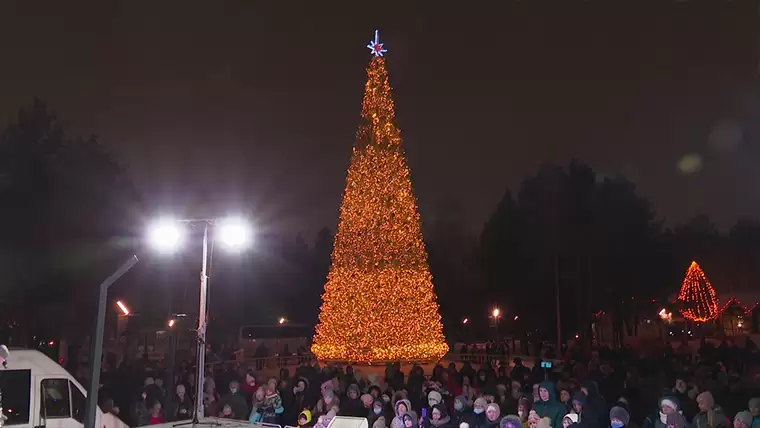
(167, 235)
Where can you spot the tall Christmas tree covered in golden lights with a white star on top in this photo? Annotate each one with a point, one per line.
(379, 303)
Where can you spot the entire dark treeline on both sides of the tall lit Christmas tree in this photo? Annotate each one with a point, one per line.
(70, 214)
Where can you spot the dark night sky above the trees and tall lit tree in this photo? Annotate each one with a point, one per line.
(254, 103)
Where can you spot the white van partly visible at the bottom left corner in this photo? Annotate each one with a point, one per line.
(39, 393)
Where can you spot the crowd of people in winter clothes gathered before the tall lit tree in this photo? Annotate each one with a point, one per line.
(603, 388)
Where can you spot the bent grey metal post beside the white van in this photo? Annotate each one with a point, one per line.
(96, 347)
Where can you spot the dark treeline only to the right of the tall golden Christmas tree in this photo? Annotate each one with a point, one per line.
(594, 240)
